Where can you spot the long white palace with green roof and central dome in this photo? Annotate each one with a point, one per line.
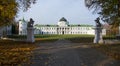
(63, 27)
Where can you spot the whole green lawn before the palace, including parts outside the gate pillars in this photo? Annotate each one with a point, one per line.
(76, 38)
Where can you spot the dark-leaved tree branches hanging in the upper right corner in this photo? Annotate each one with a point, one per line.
(109, 10)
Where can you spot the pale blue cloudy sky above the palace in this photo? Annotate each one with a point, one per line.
(51, 11)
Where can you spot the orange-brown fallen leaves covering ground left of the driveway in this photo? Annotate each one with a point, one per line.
(15, 53)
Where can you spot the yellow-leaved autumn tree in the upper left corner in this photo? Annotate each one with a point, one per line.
(10, 8)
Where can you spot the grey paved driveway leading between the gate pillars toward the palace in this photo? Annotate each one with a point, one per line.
(66, 53)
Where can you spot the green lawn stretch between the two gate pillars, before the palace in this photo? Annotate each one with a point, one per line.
(73, 38)
